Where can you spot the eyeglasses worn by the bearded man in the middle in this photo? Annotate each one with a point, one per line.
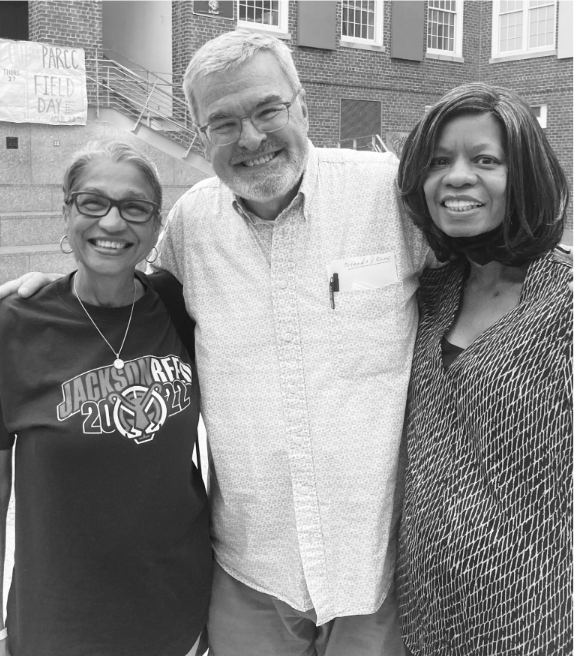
(267, 118)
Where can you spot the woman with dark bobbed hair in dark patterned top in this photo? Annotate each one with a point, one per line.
(485, 558)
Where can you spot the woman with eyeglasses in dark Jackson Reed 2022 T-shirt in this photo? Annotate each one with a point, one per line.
(101, 400)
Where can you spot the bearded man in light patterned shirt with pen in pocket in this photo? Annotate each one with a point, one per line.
(301, 276)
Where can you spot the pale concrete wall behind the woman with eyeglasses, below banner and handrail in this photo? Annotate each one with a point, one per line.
(31, 190)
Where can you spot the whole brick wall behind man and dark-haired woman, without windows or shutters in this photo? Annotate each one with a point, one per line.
(403, 87)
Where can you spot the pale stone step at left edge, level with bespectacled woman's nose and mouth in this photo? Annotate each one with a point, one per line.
(30, 228)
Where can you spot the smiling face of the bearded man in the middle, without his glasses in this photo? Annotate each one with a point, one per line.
(261, 167)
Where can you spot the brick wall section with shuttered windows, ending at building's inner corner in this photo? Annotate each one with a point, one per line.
(403, 87)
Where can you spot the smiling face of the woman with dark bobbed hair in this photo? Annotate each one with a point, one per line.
(465, 189)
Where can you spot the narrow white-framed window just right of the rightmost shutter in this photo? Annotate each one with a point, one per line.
(444, 28)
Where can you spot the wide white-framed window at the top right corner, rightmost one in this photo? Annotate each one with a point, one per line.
(523, 27)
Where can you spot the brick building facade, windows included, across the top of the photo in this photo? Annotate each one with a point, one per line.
(347, 78)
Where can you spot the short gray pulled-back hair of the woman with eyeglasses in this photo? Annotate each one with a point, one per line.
(115, 151)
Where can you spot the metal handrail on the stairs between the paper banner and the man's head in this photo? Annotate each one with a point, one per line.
(154, 104)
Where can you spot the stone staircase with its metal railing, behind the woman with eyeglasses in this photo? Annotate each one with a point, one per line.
(129, 107)
